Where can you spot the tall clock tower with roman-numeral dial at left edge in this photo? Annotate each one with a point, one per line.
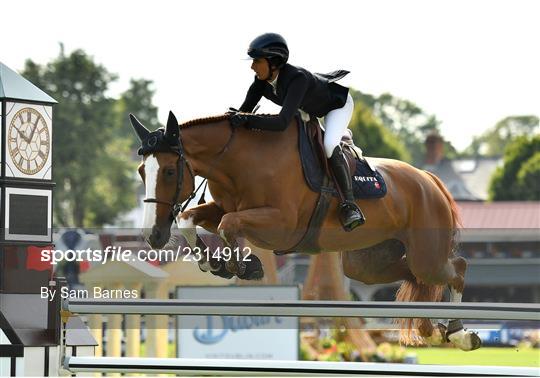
(29, 324)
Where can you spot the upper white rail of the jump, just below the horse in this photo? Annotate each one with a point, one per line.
(442, 310)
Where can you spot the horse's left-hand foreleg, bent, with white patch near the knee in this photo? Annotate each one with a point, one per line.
(207, 216)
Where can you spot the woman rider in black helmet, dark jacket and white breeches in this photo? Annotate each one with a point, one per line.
(295, 88)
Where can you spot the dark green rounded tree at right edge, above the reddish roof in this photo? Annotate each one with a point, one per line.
(519, 177)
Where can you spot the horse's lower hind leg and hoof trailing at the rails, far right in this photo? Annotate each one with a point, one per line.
(455, 333)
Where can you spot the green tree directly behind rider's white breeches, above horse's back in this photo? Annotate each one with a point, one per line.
(372, 137)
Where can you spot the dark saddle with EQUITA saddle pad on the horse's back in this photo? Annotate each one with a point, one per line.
(367, 182)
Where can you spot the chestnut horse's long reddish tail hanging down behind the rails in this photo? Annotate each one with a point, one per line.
(413, 291)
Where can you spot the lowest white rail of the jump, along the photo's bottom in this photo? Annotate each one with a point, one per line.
(274, 368)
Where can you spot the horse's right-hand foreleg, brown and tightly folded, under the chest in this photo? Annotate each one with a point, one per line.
(235, 225)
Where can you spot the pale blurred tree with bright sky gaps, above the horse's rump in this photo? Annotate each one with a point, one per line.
(406, 121)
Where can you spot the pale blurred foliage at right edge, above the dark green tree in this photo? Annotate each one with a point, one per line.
(494, 141)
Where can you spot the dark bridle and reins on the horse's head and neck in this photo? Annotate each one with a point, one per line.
(176, 207)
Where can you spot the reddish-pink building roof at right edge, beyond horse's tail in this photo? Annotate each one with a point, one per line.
(500, 215)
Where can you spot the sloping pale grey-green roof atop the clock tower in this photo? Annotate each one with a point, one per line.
(15, 87)
